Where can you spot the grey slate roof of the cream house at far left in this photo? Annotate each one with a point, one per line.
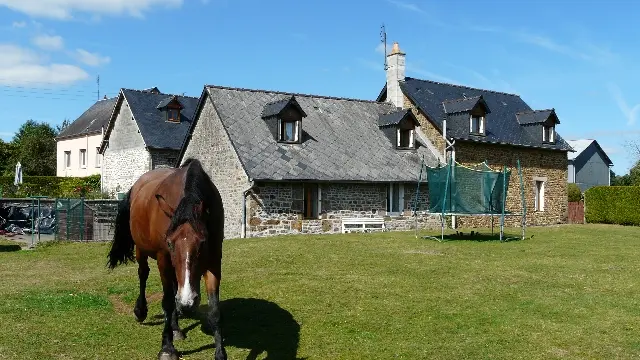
(91, 121)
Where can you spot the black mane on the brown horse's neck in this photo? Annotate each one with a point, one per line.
(197, 187)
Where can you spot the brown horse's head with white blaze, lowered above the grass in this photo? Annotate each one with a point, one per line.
(185, 239)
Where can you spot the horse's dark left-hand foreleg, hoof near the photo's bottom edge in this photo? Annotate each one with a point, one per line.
(167, 275)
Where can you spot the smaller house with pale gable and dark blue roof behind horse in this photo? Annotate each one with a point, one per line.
(145, 130)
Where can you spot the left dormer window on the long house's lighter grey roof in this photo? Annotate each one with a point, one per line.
(284, 119)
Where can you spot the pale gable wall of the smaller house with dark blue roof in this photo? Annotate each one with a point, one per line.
(125, 158)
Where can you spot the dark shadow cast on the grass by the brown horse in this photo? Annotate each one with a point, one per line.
(258, 325)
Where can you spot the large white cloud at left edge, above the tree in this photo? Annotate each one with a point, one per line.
(20, 66)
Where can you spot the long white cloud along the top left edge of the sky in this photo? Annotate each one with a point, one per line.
(65, 9)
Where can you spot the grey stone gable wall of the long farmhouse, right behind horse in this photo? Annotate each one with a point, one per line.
(211, 145)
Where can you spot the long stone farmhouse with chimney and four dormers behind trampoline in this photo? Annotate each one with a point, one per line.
(296, 163)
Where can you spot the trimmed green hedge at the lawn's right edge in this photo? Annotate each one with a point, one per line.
(613, 205)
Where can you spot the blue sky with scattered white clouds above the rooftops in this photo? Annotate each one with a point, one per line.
(575, 56)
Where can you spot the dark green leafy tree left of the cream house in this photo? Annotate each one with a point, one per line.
(34, 145)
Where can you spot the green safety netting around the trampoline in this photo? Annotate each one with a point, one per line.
(458, 189)
